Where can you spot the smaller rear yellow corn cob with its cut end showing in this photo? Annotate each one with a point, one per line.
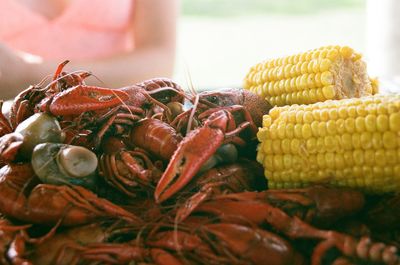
(331, 72)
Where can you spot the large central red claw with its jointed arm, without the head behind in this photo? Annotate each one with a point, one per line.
(196, 149)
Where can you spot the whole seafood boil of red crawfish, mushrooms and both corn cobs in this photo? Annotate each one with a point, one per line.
(153, 173)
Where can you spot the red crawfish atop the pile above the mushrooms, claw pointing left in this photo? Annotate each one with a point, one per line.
(98, 111)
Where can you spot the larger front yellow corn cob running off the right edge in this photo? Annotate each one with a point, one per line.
(347, 143)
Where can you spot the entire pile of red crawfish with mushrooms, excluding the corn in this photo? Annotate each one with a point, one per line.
(152, 174)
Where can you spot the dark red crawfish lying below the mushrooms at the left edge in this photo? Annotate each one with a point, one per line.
(23, 198)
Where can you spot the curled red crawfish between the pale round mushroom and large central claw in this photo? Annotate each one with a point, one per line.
(132, 164)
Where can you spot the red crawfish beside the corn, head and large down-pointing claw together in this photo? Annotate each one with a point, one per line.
(235, 124)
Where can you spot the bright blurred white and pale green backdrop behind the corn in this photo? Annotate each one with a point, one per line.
(219, 40)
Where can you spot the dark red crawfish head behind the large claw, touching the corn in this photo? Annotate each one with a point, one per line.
(253, 103)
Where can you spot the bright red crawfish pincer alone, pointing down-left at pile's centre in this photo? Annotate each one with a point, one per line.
(197, 147)
